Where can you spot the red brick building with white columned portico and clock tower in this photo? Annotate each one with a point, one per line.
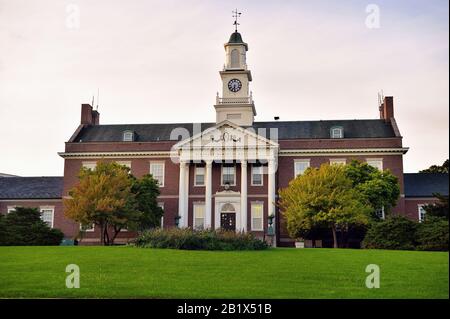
(226, 173)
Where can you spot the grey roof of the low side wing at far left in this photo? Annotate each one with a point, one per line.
(46, 187)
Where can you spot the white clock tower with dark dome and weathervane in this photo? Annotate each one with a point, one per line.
(236, 103)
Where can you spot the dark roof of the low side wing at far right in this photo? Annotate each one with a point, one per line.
(425, 184)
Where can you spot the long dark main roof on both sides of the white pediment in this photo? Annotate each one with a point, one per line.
(286, 130)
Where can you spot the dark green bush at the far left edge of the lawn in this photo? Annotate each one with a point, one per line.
(24, 227)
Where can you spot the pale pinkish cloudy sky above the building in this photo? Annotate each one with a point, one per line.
(158, 62)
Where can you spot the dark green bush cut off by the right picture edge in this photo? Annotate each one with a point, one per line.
(432, 234)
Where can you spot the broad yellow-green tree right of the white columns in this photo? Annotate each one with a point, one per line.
(324, 197)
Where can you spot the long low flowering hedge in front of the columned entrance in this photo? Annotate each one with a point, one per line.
(198, 240)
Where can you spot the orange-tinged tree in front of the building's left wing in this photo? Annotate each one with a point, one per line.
(103, 197)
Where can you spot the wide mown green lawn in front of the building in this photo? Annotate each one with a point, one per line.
(122, 272)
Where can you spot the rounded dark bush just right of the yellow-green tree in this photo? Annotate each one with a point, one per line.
(396, 232)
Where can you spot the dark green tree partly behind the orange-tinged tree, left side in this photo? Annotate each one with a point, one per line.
(146, 192)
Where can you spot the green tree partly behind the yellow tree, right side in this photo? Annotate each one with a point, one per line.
(381, 188)
